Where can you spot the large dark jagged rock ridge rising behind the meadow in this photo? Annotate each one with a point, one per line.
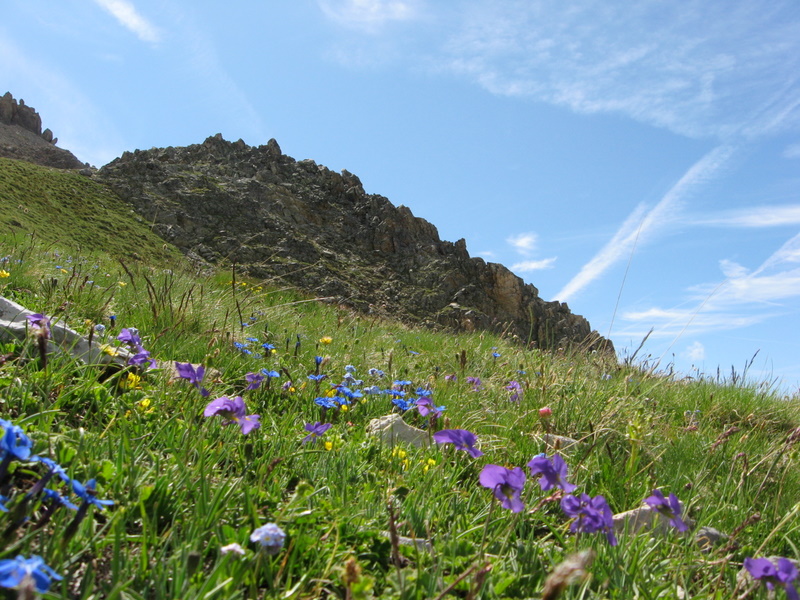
(302, 223)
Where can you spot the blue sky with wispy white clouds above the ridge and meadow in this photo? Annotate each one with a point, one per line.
(639, 161)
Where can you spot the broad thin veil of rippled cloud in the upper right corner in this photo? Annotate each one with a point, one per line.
(696, 68)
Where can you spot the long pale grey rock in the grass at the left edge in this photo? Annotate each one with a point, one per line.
(14, 325)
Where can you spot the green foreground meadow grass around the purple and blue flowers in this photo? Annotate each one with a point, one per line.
(184, 485)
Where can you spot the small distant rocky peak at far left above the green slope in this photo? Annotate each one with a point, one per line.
(22, 138)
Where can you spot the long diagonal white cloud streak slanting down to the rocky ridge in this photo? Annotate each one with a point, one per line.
(641, 225)
